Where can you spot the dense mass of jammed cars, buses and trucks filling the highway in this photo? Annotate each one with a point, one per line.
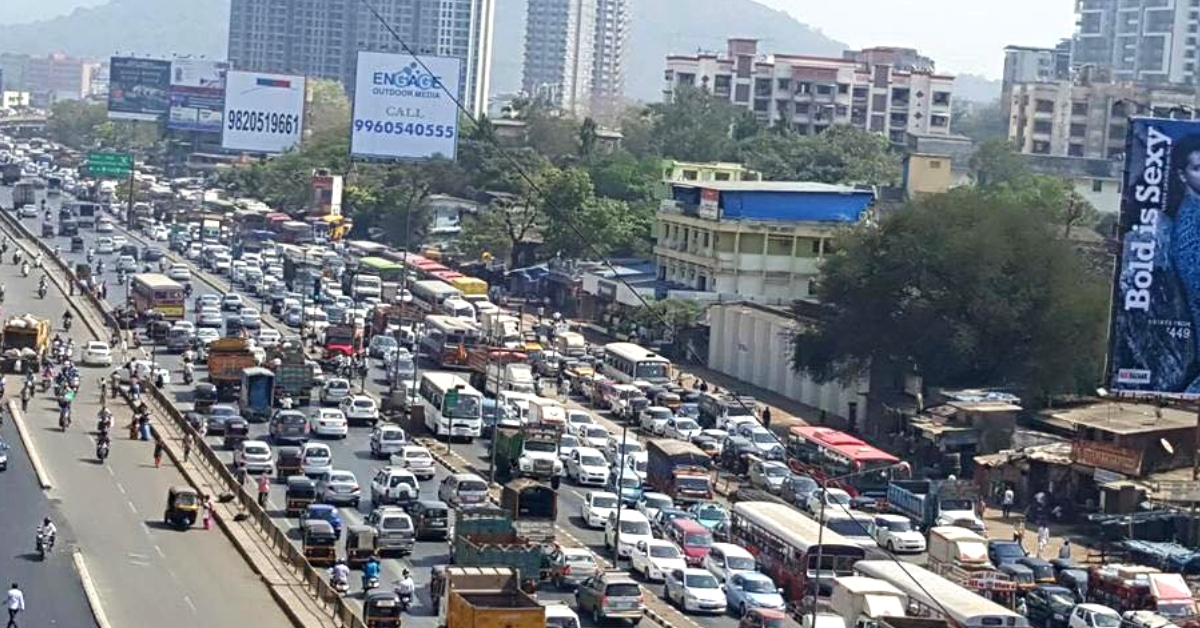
(404, 428)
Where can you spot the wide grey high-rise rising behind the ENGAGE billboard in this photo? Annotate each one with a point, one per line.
(321, 39)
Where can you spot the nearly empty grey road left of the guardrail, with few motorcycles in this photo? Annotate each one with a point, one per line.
(145, 573)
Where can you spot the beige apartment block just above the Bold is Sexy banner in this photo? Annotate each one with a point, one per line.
(1088, 119)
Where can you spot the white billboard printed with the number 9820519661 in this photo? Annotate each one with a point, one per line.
(263, 113)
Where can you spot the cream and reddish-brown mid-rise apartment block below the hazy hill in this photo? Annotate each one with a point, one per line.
(887, 91)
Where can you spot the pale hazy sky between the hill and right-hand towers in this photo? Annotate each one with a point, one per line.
(959, 35)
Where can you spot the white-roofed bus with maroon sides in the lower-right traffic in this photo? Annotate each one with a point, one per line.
(793, 549)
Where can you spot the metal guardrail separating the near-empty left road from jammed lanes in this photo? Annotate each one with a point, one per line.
(332, 602)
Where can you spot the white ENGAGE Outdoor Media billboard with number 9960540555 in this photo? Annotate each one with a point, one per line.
(405, 109)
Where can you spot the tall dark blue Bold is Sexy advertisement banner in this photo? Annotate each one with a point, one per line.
(1156, 302)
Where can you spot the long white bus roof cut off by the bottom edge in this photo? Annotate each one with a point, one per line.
(940, 599)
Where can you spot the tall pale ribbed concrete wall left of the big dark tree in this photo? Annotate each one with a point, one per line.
(755, 346)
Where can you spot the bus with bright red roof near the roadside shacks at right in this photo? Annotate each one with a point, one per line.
(860, 469)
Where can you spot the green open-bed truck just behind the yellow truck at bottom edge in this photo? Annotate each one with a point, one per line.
(487, 537)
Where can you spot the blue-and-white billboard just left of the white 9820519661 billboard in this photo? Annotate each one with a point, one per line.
(197, 95)
